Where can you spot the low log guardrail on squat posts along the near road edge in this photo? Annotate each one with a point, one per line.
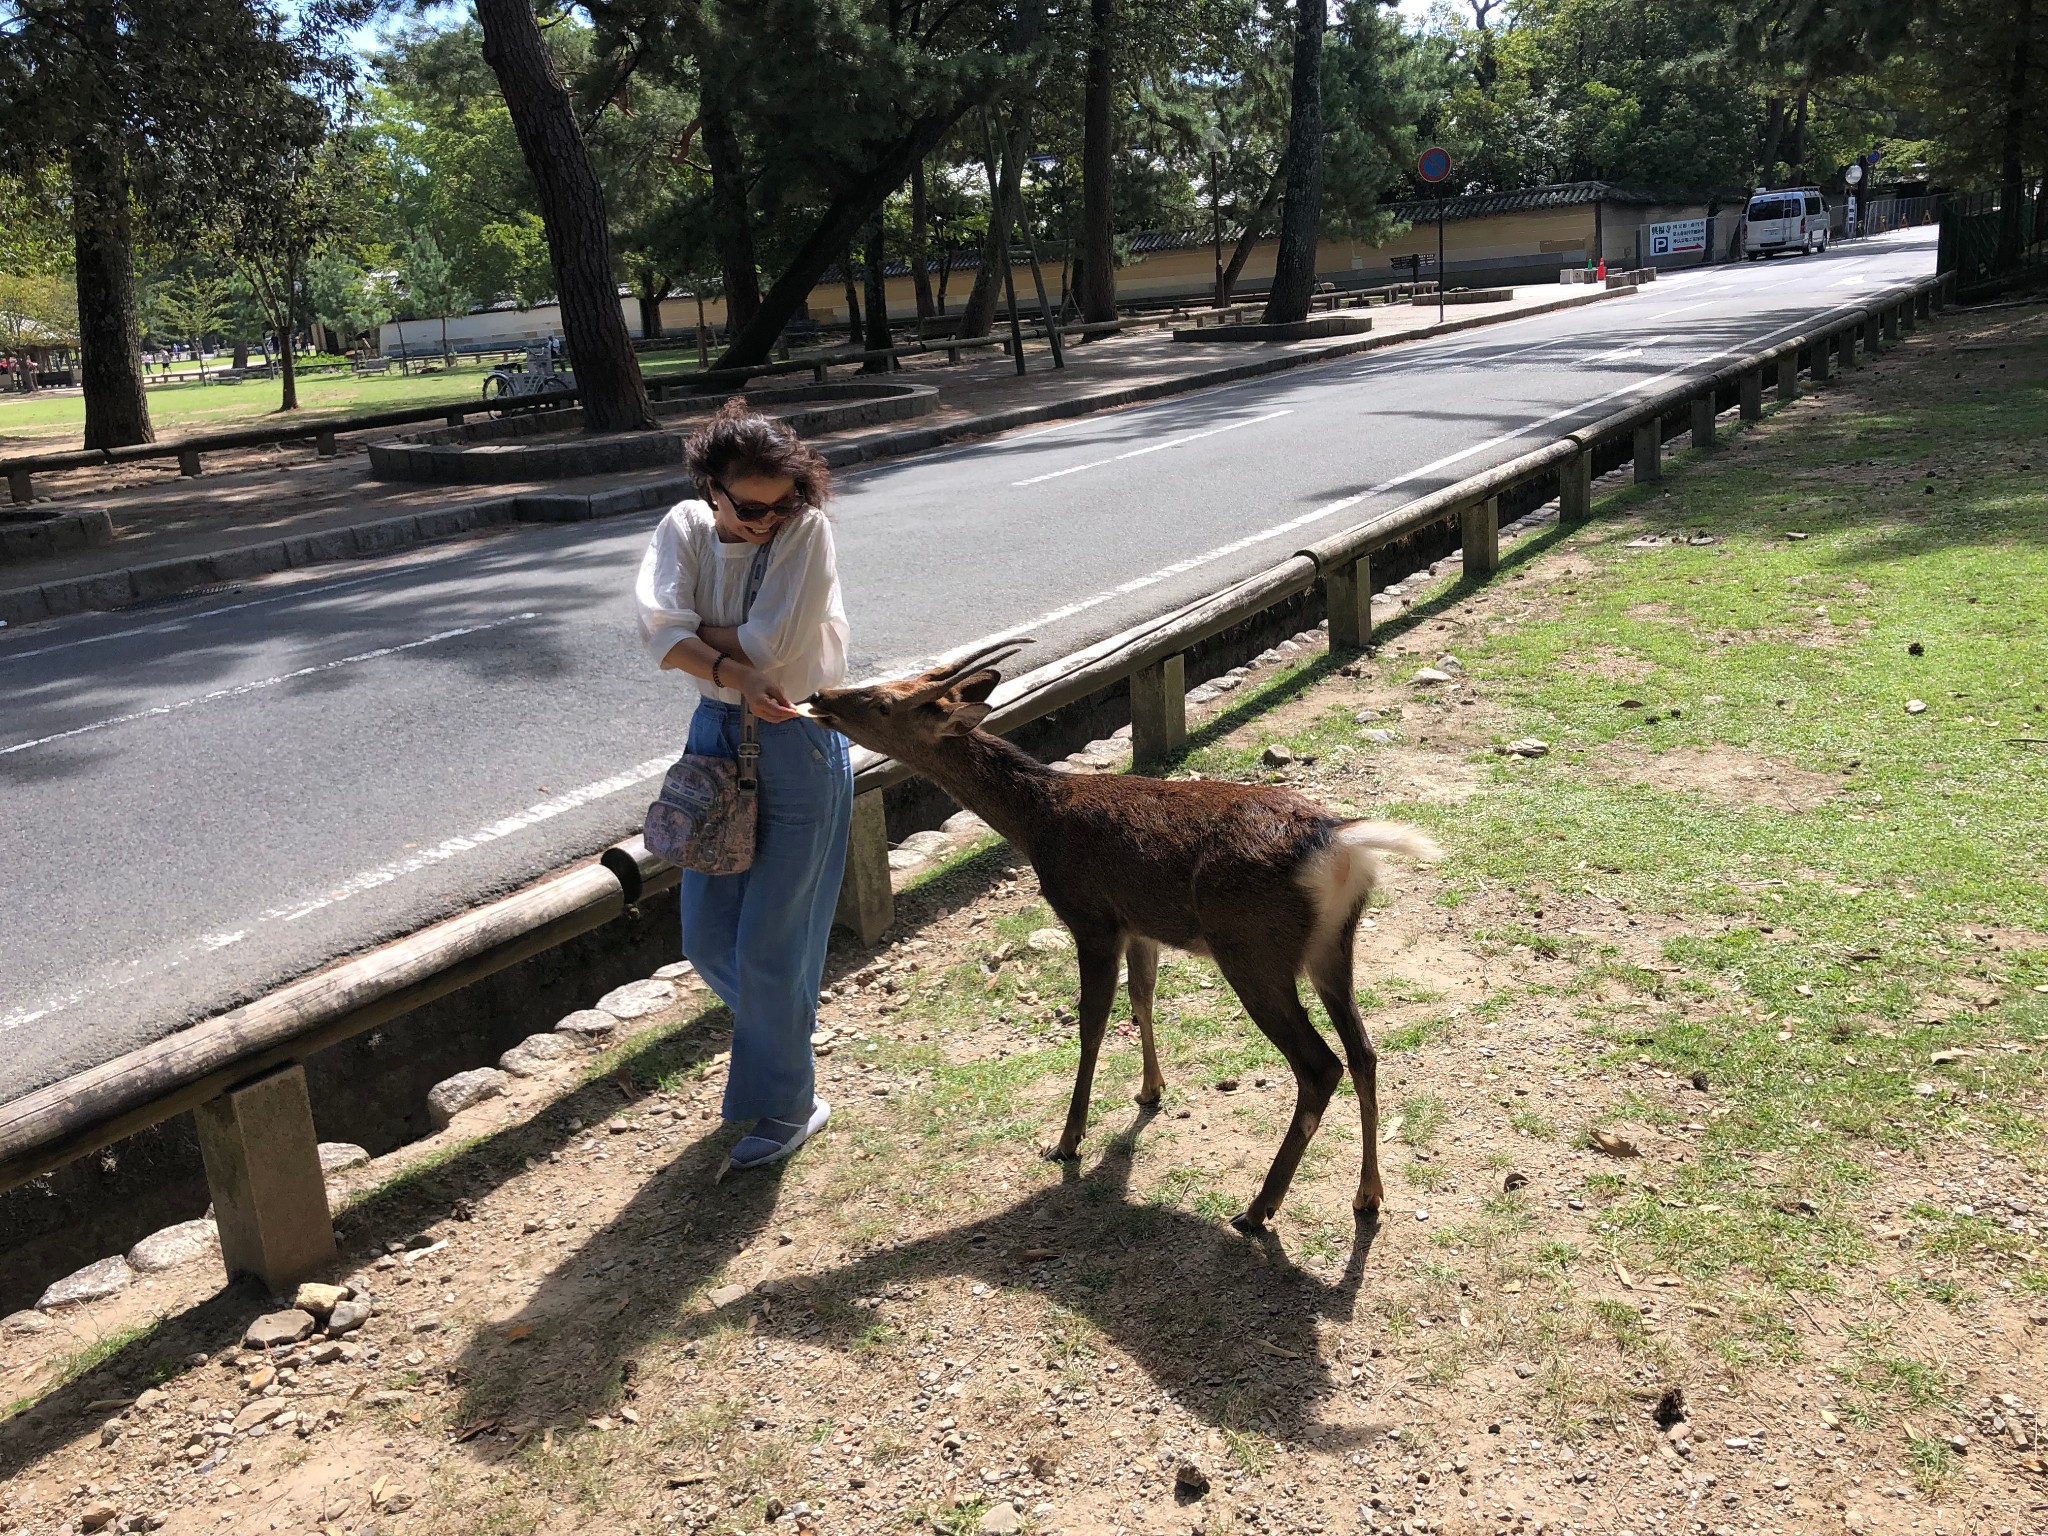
(243, 1070)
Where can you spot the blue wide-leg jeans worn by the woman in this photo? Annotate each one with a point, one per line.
(759, 937)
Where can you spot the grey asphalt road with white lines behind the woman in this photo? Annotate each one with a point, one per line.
(212, 800)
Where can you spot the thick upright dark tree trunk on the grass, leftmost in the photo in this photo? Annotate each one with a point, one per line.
(110, 339)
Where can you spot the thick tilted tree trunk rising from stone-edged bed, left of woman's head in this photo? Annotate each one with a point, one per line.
(572, 210)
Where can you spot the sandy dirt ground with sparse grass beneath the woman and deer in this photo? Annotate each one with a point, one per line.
(921, 1324)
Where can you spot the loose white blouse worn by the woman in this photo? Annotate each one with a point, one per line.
(796, 634)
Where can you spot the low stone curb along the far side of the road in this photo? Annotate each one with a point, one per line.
(370, 540)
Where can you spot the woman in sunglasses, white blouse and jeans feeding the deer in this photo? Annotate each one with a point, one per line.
(740, 593)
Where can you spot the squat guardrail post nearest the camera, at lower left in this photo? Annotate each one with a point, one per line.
(263, 1170)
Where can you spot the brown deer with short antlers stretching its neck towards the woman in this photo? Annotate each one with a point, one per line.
(1258, 880)
